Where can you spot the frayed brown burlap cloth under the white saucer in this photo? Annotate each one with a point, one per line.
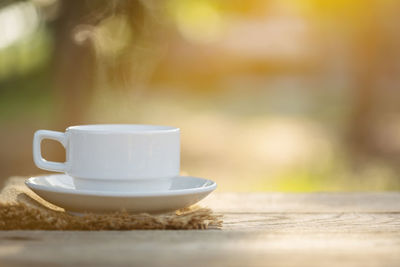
(22, 209)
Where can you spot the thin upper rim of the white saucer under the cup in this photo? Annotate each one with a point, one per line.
(30, 183)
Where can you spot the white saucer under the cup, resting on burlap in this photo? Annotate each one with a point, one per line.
(61, 191)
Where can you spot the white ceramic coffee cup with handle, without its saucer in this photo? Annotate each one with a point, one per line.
(115, 156)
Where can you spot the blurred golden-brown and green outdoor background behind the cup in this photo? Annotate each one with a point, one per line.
(270, 95)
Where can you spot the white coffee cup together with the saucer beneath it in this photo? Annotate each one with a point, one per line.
(111, 167)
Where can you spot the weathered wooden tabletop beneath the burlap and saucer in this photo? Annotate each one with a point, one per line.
(320, 229)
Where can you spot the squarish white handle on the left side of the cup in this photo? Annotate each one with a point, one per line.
(37, 153)
